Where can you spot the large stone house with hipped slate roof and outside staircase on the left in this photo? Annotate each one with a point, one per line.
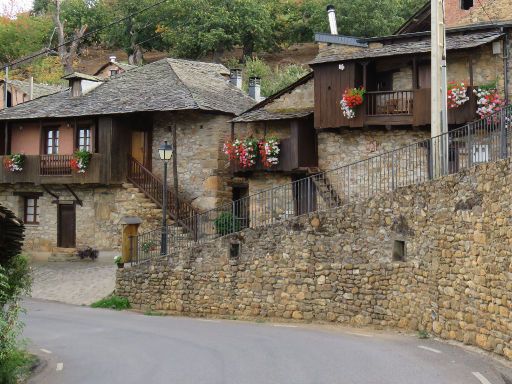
(121, 121)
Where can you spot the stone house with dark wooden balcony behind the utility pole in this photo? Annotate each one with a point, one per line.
(395, 71)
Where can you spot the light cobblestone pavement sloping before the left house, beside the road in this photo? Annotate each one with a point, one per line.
(81, 282)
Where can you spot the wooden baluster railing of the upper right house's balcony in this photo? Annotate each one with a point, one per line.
(389, 103)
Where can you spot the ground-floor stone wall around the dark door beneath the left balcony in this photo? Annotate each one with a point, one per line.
(97, 221)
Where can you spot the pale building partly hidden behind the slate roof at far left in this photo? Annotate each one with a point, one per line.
(20, 91)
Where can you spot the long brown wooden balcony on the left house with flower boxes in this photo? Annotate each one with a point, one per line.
(54, 169)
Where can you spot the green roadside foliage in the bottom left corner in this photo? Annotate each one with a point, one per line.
(15, 282)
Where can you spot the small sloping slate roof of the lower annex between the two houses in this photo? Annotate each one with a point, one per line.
(258, 113)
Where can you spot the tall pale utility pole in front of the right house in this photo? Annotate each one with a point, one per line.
(439, 108)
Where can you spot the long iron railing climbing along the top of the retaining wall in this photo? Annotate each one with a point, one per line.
(481, 141)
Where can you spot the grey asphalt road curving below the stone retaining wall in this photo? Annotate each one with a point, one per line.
(84, 345)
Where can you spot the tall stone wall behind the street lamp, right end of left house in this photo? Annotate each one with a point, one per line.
(203, 172)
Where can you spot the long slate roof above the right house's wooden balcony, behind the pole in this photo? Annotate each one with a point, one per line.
(453, 42)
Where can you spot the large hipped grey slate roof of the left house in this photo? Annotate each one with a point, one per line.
(165, 85)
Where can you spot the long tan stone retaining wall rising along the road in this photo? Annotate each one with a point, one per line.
(455, 280)
